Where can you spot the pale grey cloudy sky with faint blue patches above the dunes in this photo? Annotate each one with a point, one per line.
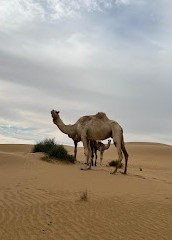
(81, 57)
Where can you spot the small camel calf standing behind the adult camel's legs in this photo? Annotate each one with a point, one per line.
(100, 147)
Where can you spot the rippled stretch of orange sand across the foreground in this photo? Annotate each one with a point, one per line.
(37, 214)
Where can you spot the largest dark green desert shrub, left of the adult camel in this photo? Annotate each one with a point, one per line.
(52, 150)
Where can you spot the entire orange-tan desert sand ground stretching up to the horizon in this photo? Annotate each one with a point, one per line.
(41, 200)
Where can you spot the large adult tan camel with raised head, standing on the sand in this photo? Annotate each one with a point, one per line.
(92, 128)
